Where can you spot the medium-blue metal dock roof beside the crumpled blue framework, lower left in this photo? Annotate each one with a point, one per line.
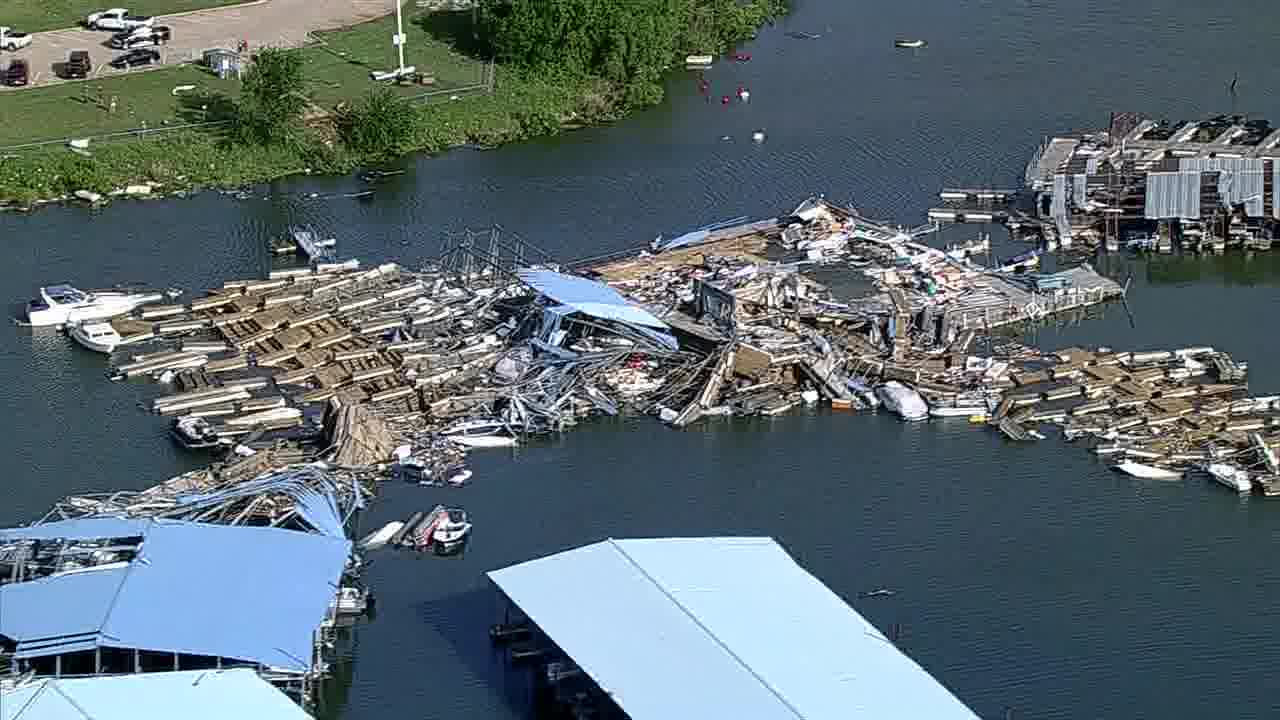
(245, 594)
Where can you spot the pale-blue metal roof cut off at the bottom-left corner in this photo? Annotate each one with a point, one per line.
(199, 695)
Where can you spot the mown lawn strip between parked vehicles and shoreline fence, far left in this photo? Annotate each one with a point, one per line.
(74, 110)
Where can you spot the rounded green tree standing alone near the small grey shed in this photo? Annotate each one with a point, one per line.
(272, 101)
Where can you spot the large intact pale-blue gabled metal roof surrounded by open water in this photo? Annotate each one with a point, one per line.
(720, 628)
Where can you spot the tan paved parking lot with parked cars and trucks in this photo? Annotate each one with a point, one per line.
(285, 24)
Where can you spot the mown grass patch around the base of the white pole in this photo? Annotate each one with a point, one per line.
(339, 70)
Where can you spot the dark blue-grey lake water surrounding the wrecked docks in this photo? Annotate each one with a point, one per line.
(1028, 576)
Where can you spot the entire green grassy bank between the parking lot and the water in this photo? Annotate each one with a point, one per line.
(524, 104)
